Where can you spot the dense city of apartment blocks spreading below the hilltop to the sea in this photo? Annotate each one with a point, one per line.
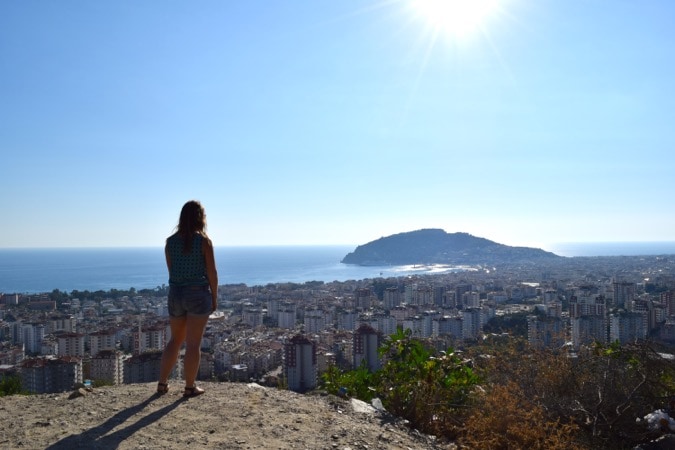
(286, 334)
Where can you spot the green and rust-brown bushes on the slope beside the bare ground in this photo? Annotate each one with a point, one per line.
(498, 396)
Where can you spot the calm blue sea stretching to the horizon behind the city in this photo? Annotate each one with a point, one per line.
(32, 270)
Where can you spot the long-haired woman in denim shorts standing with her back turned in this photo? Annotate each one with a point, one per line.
(193, 295)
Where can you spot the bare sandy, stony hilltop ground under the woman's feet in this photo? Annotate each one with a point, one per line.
(229, 416)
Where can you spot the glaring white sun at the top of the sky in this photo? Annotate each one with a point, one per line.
(455, 18)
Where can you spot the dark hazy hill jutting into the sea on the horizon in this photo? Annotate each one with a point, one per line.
(435, 246)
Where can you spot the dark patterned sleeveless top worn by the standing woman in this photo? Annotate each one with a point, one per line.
(187, 269)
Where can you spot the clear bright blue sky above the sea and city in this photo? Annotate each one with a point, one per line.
(335, 122)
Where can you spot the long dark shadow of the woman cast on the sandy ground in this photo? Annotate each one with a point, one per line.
(97, 437)
